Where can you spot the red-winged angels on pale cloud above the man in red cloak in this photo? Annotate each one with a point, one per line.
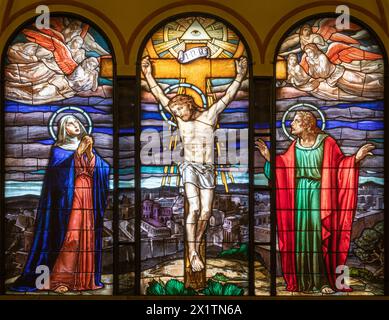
(332, 65)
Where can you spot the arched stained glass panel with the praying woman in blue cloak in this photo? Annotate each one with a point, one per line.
(58, 139)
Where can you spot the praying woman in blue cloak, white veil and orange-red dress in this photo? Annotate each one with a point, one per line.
(69, 222)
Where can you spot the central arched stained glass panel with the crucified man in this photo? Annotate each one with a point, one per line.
(194, 159)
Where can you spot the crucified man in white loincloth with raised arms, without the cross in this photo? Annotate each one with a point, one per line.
(197, 129)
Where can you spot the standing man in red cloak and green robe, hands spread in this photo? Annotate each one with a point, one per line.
(316, 198)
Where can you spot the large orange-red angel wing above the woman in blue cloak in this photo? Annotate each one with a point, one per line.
(61, 53)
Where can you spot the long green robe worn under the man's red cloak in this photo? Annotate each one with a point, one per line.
(311, 275)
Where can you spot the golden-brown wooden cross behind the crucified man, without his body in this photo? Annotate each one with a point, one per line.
(196, 72)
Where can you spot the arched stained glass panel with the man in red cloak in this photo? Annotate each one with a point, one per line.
(330, 160)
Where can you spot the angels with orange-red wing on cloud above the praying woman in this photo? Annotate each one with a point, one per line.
(53, 65)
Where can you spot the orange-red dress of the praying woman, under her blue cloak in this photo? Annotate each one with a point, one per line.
(75, 265)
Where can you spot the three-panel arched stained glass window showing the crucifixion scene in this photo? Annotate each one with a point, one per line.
(212, 187)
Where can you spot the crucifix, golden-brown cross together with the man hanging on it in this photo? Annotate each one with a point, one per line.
(197, 129)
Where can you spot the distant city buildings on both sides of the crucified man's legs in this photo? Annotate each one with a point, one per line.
(163, 219)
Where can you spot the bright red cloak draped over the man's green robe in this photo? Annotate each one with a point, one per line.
(338, 200)
